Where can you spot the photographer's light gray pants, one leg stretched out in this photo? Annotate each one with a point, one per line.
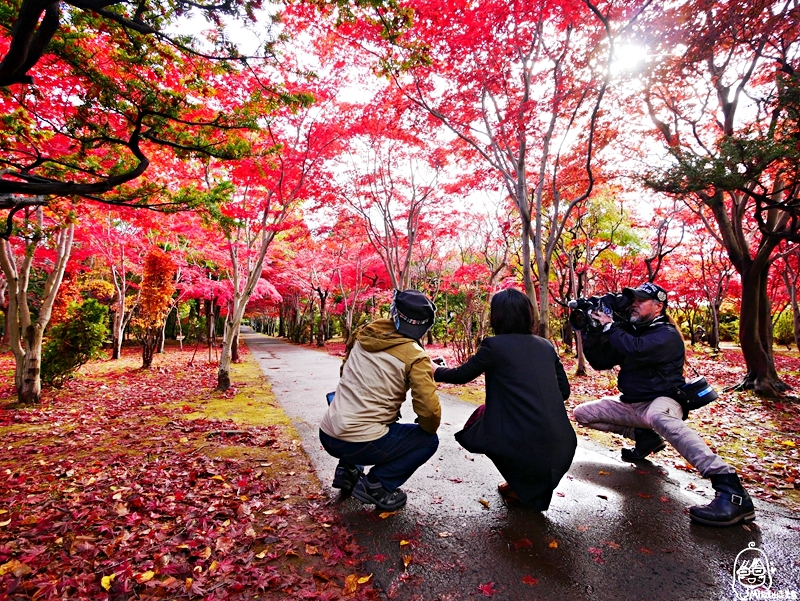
(664, 415)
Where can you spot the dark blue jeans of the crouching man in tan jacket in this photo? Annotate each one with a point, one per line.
(394, 456)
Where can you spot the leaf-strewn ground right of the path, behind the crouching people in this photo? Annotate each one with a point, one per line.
(760, 438)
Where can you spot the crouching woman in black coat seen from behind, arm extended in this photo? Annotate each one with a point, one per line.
(524, 428)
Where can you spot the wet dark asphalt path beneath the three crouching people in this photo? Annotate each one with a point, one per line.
(613, 531)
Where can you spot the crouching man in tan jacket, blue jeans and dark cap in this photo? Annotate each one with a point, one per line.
(384, 360)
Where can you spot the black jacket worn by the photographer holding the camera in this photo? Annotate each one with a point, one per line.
(650, 357)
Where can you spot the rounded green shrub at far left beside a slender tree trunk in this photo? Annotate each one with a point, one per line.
(75, 342)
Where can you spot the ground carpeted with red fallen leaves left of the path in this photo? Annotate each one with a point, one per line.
(131, 484)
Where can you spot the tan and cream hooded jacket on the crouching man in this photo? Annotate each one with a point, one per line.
(381, 366)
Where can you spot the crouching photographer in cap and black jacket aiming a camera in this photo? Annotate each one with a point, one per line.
(651, 354)
